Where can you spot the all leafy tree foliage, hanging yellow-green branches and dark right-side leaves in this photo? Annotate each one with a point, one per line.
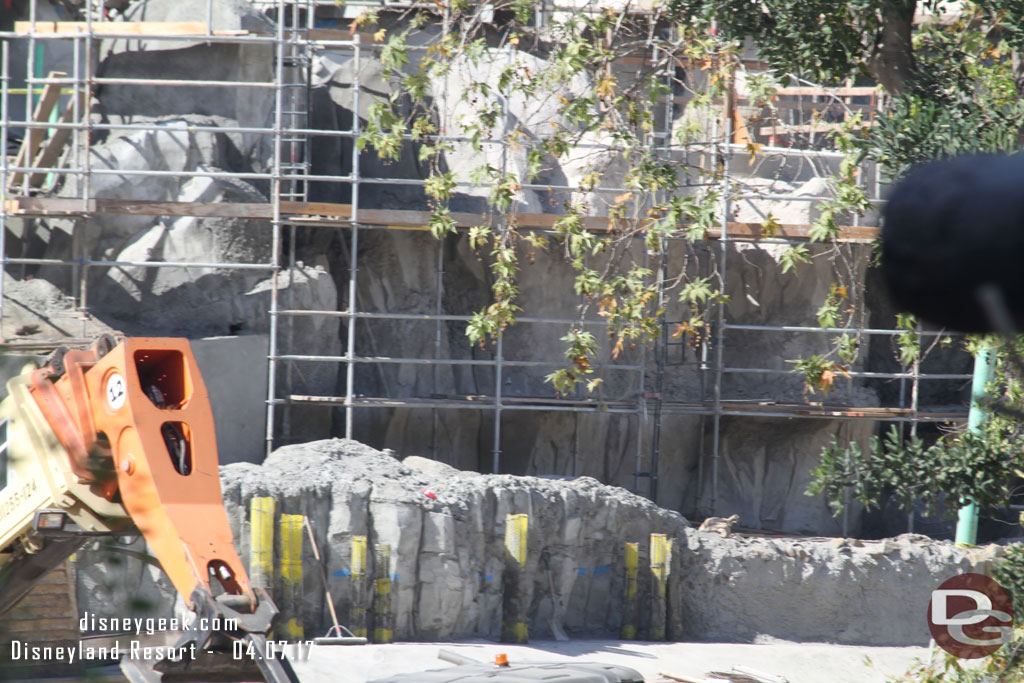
(951, 87)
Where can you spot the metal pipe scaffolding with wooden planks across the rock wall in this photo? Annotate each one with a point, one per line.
(61, 130)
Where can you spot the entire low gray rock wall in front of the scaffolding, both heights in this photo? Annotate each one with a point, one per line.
(450, 569)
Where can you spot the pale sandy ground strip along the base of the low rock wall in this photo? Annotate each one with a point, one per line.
(798, 663)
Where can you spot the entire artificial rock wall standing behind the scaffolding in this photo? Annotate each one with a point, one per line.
(762, 463)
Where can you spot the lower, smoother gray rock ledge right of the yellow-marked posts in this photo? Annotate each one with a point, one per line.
(842, 591)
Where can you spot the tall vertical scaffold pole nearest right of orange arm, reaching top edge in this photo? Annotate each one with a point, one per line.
(272, 383)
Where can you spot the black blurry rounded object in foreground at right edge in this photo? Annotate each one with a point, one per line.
(953, 232)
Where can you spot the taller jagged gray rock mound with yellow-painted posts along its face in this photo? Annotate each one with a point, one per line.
(448, 554)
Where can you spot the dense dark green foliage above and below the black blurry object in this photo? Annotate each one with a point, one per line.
(955, 88)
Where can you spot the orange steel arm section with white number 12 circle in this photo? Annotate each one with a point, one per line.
(145, 403)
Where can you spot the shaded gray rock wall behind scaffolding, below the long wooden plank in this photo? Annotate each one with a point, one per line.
(761, 460)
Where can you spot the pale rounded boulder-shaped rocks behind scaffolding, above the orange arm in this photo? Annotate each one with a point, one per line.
(183, 302)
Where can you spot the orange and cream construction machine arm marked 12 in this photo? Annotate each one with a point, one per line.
(118, 438)
